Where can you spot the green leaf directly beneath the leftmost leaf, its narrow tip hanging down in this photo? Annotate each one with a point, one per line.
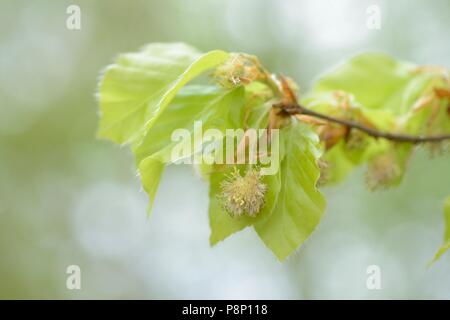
(200, 103)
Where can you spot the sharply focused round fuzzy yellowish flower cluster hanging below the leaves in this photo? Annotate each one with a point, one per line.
(243, 195)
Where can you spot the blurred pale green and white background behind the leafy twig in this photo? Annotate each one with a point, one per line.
(67, 198)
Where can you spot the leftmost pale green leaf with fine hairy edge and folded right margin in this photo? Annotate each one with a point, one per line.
(136, 89)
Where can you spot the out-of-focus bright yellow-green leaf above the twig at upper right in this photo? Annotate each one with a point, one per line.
(380, 82)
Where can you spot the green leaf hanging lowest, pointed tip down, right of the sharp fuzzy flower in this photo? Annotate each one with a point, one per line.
(299, 205)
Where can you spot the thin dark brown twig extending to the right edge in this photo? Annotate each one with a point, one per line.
(293, 109)
